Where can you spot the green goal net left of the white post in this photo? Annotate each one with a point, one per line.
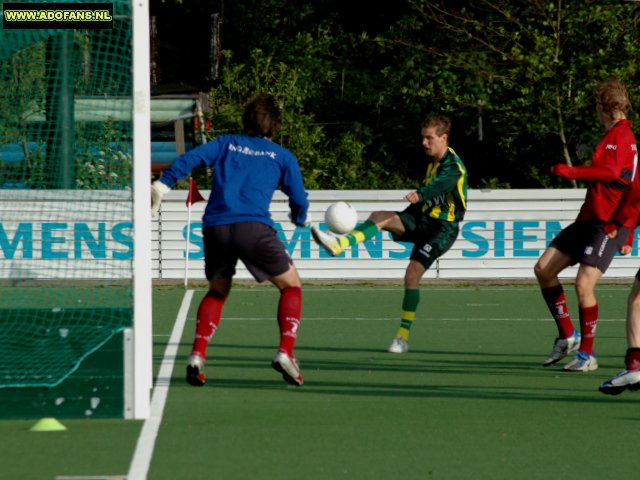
(66, 194)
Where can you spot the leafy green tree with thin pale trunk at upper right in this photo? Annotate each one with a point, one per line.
(528, 66)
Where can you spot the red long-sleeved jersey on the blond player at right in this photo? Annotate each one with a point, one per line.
(613, 168)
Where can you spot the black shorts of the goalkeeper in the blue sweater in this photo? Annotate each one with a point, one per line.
(255, 243)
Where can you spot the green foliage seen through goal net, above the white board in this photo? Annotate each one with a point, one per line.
(103, 158)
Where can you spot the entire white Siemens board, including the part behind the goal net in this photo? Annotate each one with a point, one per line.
(89, 235)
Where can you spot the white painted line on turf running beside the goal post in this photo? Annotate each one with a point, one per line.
(139, 467)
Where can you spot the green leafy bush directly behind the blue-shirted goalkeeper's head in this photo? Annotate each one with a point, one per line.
(334, 162)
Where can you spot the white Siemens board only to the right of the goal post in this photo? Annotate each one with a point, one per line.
(502, 236)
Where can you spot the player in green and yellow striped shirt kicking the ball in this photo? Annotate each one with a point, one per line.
(430, 222)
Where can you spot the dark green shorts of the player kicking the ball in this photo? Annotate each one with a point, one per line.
(431, 238)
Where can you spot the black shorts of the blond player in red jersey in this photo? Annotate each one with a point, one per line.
(587, 243)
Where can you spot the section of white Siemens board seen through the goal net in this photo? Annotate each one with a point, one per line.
(62, 234)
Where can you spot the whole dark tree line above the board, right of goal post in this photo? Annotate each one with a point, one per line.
(356, 79)
